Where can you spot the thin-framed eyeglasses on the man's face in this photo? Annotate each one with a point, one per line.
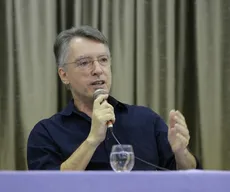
(87, 62)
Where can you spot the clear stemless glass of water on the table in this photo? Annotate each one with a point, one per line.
(122, 158)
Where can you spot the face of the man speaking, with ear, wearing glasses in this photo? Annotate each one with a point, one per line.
(89, 68)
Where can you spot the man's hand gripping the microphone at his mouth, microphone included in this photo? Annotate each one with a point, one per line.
(102, 117)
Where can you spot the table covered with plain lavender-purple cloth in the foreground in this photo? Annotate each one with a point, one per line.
(170, 181)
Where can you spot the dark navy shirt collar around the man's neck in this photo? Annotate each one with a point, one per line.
(70, 108)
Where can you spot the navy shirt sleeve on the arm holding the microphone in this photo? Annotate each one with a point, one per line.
(42, 152)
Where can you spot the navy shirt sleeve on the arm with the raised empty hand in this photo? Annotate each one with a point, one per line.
(166, 155)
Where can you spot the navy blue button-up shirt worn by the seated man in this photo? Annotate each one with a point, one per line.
(53, 140)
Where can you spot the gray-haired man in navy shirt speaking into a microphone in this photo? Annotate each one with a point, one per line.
(77, 138)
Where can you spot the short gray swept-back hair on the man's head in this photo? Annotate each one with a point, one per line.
(61, 44)
